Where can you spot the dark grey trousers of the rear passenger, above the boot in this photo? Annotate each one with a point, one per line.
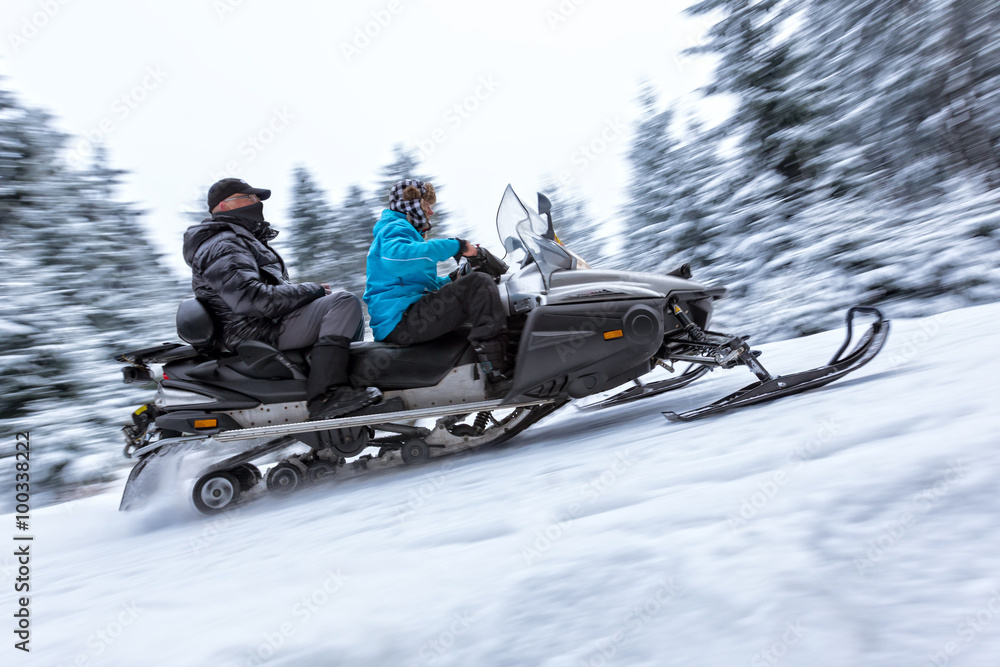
(333, 316)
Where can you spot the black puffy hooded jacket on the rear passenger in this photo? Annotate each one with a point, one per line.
(241, 279)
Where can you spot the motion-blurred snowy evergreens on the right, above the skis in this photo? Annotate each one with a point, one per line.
(860, 166)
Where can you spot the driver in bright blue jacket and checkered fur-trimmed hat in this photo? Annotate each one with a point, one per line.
(408, 303)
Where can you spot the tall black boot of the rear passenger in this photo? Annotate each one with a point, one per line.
(328, 388)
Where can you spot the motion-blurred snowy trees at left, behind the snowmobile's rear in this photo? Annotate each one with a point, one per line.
(81, 284)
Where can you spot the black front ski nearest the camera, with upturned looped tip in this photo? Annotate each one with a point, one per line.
(769, 388)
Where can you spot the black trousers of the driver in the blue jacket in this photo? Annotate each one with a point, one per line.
(472, 299)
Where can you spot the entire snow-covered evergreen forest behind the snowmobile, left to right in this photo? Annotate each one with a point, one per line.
(861, 166)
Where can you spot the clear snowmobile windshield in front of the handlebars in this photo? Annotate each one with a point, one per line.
(524, 232)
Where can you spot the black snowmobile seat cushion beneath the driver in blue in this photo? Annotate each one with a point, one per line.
(394, 367)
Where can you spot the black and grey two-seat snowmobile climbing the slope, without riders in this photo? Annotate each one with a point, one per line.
(574, 332)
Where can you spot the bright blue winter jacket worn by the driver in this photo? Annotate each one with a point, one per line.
(402, 267)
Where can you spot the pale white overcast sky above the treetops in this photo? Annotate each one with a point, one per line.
(185, 92)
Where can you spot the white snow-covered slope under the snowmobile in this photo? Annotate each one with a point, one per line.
(858, 524)
